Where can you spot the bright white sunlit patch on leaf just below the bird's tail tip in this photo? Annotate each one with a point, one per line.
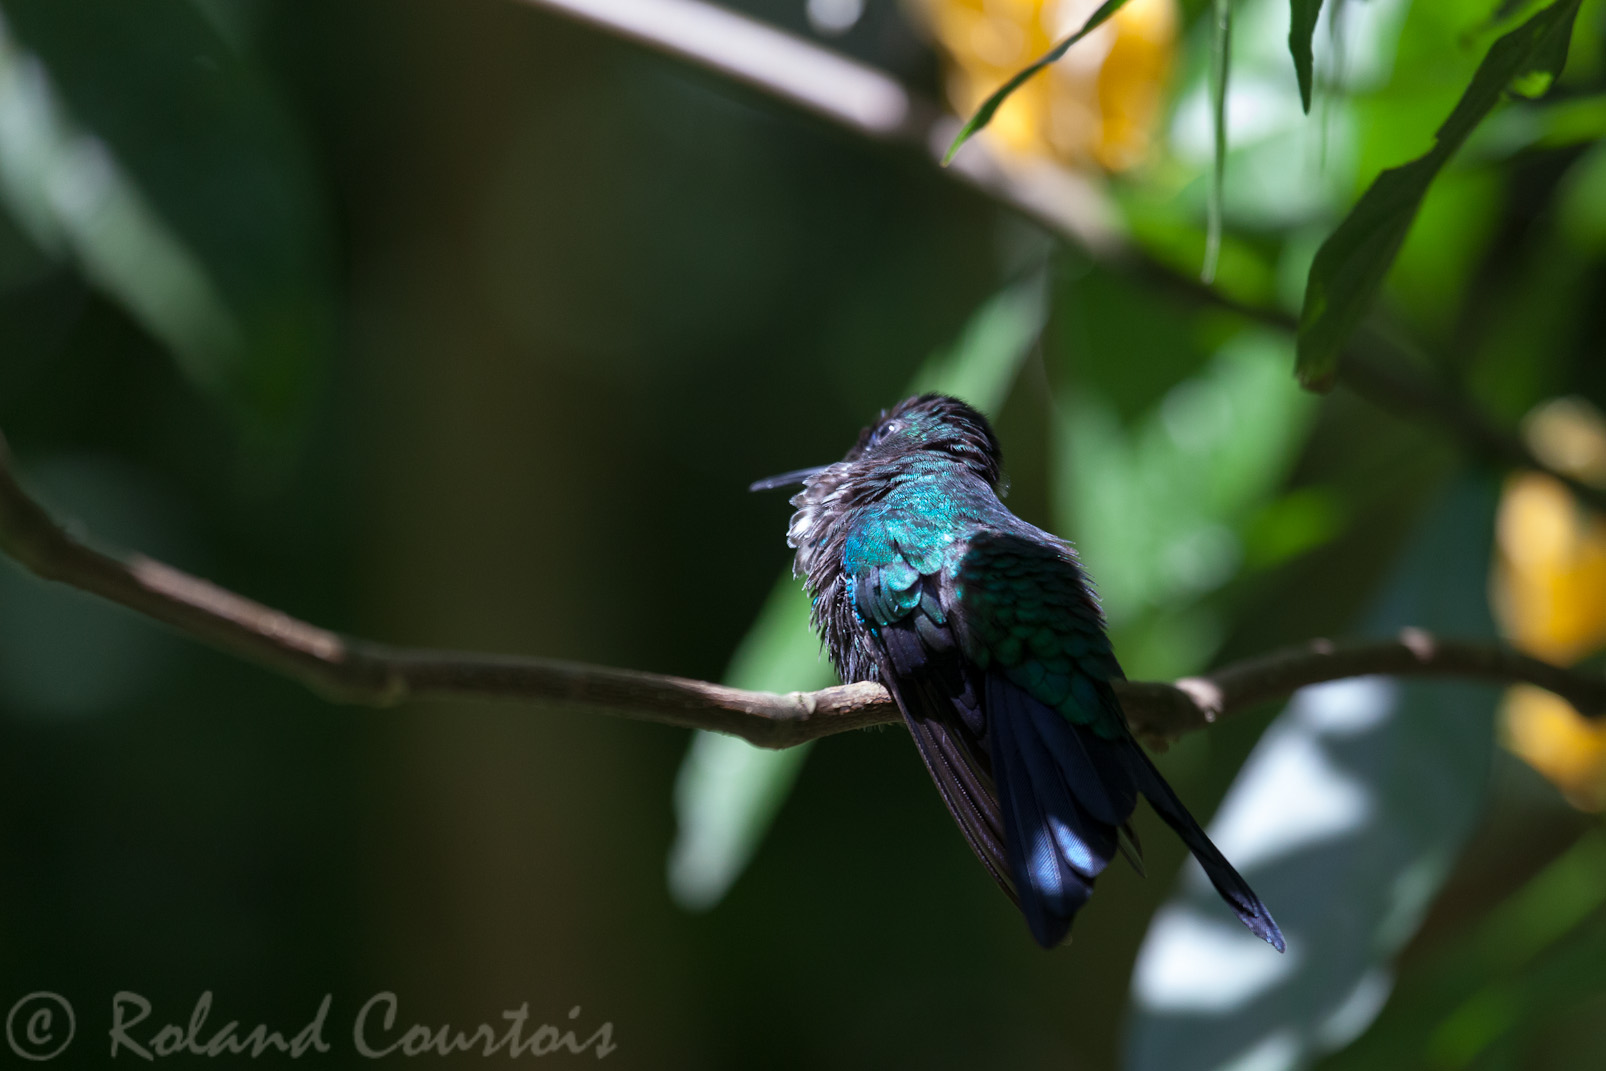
(1192, 963)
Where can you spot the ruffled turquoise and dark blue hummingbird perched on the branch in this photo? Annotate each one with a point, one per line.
(990, 638)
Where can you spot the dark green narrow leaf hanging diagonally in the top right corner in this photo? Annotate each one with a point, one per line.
(1353, 263)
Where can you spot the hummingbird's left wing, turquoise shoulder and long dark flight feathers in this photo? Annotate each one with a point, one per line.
(921, 664)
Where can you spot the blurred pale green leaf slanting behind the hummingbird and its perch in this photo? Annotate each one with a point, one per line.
(728, 792)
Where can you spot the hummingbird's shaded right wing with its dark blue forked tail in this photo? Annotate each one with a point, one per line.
(1064, 762)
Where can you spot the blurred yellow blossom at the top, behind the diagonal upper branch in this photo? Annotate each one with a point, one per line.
(1101, 104)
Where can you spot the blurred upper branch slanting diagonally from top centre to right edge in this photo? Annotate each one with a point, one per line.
(878, 107)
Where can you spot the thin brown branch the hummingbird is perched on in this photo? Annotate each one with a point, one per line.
(361, 672)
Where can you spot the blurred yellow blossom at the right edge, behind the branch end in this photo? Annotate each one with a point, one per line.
(1551, 595)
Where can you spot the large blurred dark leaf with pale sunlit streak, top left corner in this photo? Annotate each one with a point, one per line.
(141, 149)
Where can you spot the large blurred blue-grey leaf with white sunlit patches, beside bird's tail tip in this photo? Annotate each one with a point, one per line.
(1347, 820)
